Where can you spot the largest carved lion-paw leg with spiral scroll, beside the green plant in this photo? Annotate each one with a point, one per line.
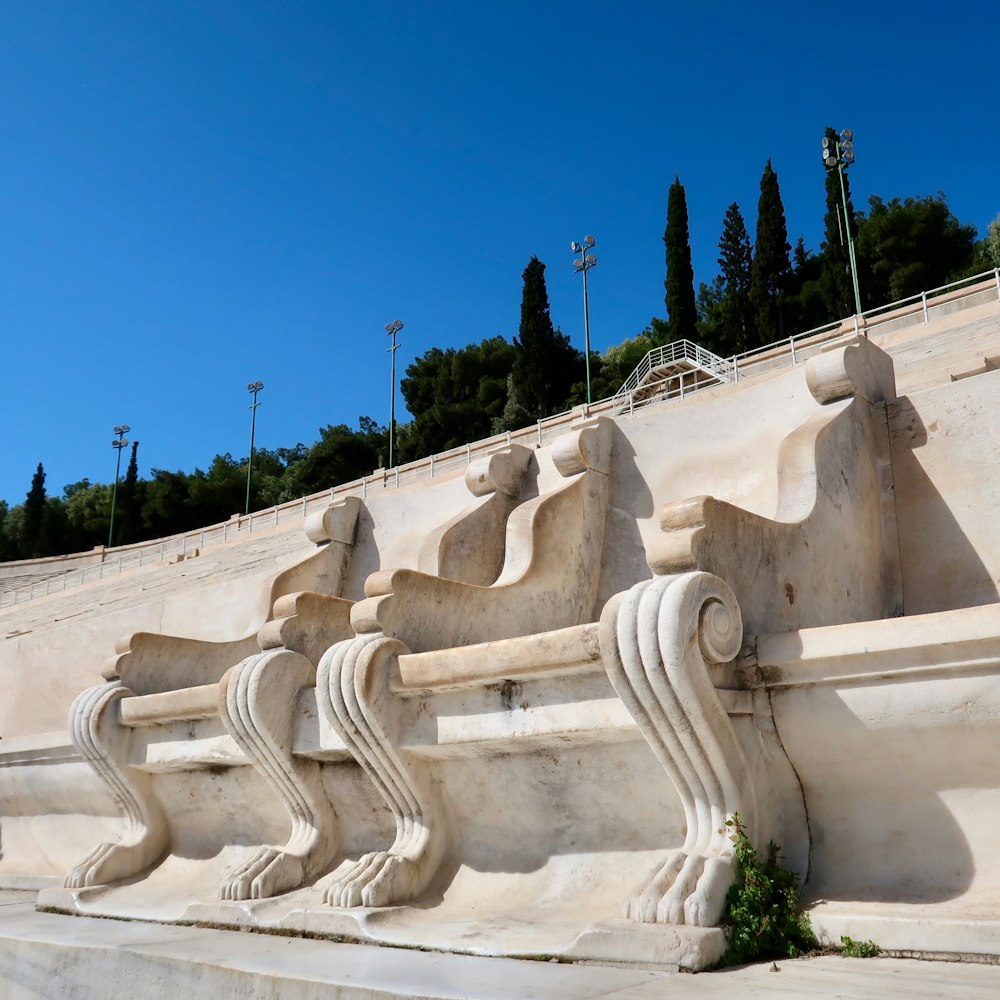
(657, 641)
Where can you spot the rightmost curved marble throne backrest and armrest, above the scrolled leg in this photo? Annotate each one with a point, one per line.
(829, 553)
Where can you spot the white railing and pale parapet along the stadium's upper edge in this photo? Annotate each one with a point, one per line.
(781, 354)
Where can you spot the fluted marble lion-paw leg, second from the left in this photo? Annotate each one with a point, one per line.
(258, 712)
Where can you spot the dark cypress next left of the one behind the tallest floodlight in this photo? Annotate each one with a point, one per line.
(771, 266)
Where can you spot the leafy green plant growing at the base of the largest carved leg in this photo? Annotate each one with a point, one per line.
(763, 914)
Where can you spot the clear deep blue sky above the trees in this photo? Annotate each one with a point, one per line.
(199, 193)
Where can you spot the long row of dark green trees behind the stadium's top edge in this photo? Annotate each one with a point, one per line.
(765, 290)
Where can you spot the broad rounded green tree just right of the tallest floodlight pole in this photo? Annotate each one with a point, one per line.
(906, 247)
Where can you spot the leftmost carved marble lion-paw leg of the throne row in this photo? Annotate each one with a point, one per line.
(104, 743)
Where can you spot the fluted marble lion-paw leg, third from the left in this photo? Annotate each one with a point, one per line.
(353, 692)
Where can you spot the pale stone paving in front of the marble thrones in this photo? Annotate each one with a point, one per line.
(75, 958)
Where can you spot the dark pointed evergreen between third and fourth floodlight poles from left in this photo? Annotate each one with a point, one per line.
(546, 365)
